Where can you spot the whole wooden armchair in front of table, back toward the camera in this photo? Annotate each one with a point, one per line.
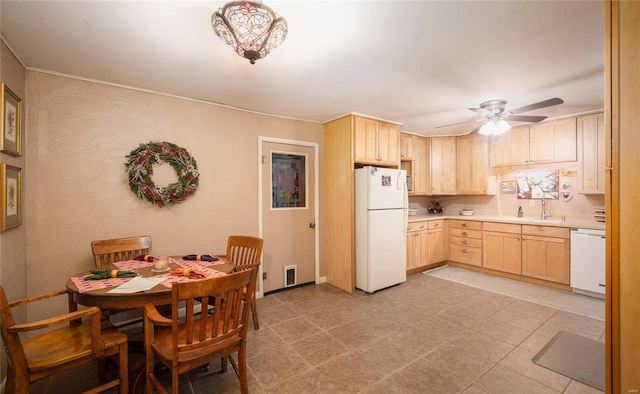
(201, 336)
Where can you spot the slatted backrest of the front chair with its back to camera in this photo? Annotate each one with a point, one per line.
(223, 327)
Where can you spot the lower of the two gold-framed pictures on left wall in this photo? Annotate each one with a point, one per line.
(11, 199)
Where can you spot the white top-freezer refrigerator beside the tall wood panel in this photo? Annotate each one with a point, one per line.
(381, 204)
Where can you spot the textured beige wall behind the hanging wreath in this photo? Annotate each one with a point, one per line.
(78, 136)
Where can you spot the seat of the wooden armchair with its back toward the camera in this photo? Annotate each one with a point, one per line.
(226, 344)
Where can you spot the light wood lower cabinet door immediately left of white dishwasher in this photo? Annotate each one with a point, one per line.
(546, 258)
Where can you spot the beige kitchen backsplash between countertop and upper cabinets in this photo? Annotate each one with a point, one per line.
(571, 204)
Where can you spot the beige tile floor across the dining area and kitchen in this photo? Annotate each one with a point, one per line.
(428, 335)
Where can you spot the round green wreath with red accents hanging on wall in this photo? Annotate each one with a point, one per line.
(140, 169)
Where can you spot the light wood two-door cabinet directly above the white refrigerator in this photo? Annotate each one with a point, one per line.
(376, 143)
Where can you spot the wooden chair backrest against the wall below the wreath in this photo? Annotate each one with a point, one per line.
(109, 251)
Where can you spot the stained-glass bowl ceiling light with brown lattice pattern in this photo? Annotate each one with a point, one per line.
(252, 29)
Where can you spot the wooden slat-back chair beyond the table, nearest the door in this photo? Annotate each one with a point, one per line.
(245, 252)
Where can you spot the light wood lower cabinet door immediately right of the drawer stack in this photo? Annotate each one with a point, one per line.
(502, 252)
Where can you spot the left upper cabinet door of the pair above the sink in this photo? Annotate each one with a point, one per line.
(511, 148)
